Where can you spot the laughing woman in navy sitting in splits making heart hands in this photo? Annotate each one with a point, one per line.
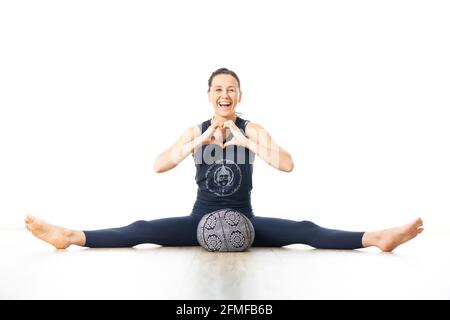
(223, 149)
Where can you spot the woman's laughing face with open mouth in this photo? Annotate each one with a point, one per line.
(224, 95)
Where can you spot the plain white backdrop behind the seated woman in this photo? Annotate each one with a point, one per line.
(356, 91)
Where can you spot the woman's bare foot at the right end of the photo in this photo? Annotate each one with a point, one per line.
(389, 239)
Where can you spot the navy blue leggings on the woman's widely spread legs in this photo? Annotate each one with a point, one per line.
(182, 231)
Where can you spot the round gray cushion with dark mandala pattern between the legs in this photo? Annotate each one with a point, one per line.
(225, 230)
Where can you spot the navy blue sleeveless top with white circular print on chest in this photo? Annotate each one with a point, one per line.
(223, 176)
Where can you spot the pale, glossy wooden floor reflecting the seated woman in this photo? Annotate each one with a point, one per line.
(31, 269)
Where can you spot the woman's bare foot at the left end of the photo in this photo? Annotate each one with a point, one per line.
(57, 236)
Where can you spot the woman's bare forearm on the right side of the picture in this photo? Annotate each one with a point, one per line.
(275, 157)
